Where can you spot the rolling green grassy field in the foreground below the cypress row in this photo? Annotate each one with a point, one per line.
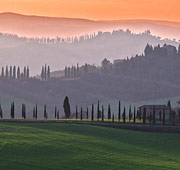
(70, 146)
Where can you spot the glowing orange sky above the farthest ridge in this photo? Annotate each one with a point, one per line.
(97, 9)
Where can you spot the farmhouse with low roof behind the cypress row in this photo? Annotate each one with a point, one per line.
(158, 109)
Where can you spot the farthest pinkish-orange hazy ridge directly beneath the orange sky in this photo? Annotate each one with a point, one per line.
(51, 27)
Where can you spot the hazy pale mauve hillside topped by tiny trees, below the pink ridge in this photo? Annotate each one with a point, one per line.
(90, 49)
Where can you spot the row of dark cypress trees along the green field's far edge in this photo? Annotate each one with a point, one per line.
(133, 115)
